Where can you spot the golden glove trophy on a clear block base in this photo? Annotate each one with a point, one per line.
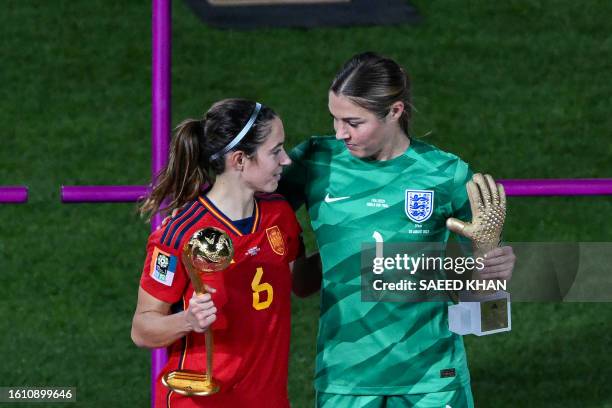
(482, 312)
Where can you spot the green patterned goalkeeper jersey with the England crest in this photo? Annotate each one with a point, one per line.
(379, 348)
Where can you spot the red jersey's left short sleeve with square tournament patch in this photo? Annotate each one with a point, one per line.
(163, 274)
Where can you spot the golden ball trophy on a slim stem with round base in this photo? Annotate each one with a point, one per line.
(209, 250)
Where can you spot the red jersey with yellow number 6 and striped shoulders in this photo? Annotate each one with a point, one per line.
(251, 334)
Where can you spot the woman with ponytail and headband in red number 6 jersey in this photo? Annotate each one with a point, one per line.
(237, 151)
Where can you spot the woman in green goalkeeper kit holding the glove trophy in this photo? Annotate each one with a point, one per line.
(358, 187)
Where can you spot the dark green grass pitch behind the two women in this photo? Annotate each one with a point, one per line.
(518, 88)
